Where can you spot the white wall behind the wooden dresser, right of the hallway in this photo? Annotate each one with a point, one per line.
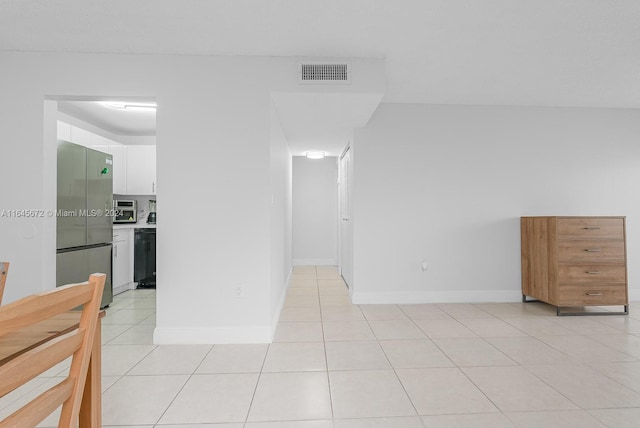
(447, 184)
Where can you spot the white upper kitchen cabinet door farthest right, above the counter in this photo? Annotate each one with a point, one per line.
(141, 170)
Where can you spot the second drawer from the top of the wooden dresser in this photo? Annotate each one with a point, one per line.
(585, 250)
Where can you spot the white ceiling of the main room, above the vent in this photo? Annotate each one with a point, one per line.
(582, 53)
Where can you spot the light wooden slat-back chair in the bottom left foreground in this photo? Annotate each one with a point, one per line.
(78, 343)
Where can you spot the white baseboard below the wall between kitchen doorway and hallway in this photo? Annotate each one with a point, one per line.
(212, 335)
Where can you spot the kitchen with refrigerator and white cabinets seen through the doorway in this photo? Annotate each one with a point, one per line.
(107, 165)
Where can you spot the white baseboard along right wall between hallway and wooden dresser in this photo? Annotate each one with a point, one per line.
(414, 297)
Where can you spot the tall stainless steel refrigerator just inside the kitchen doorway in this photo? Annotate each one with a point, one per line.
(84, 221)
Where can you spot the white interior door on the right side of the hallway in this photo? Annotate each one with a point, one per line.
(346, 235)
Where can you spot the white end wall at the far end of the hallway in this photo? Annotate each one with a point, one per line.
(315, 213)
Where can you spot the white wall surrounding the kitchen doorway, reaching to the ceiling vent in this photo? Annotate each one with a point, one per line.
(213, 148)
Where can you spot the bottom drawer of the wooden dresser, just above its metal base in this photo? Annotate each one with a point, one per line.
(594, 295)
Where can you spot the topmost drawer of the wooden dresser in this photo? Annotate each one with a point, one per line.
(591, 228)
